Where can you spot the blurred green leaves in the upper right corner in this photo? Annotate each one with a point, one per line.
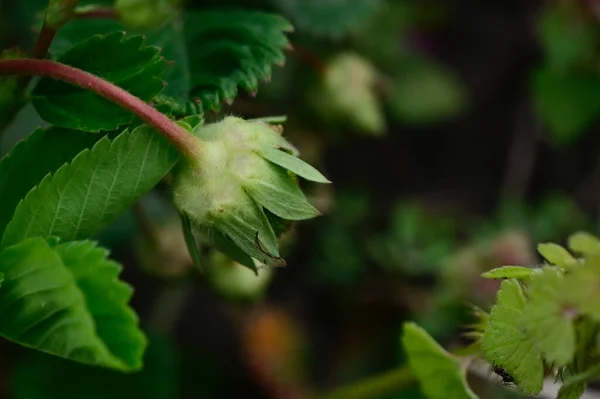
(564, 86)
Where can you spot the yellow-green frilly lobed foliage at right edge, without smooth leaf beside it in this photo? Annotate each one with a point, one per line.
(547, 321)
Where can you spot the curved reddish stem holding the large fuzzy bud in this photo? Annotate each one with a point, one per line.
(177, 135)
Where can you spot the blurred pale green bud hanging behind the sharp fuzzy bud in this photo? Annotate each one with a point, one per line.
(348, 94)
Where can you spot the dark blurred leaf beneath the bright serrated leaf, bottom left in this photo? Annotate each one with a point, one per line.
(42, 376)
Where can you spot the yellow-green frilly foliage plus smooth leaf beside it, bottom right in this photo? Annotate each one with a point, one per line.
(545, 323)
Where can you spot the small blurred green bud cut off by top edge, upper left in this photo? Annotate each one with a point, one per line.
(140, 14)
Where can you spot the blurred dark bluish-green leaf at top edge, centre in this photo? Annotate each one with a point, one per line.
(328, 18)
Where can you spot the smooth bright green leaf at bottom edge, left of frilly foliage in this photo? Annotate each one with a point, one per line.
(430, 362)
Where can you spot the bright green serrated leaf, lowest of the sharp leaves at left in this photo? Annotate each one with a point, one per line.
(68, 301)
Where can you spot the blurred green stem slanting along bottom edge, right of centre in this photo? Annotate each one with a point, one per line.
(374, 387)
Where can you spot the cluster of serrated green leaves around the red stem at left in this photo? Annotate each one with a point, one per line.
(60, 292)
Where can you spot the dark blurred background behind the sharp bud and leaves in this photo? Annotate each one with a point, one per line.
(458, 134)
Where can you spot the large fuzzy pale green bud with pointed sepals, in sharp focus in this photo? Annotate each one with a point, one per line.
(242, 168)
